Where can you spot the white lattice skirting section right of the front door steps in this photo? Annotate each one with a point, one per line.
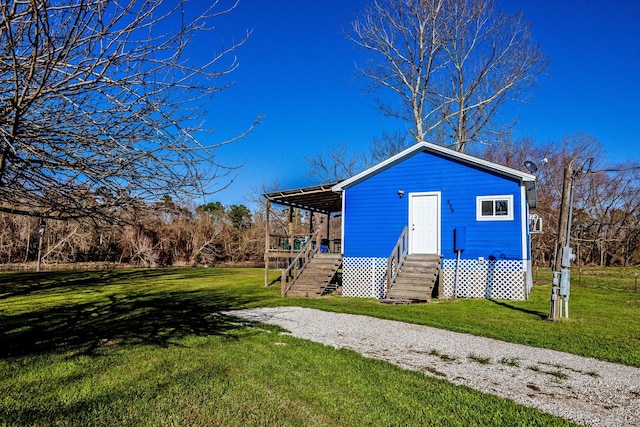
(496, 279)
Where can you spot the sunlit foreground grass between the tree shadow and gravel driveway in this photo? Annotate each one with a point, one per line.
(249, 378)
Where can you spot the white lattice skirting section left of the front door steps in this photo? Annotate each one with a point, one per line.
(364, 277)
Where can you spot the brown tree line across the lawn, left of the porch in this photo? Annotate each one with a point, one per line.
(159, 234)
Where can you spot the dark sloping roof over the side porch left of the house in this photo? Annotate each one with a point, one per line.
(318, 198)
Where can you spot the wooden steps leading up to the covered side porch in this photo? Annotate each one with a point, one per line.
(316, 277)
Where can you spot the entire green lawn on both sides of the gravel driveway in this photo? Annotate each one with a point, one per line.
(150, 347)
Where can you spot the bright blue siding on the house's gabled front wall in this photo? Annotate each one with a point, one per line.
(375, 214)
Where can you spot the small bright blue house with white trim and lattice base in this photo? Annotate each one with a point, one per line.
(430, 216)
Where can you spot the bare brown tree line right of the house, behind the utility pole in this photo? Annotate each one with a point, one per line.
(605, 227)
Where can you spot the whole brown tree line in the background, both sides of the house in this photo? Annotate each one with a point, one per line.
(605, 222)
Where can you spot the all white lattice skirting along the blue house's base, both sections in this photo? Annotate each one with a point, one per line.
(365, 277)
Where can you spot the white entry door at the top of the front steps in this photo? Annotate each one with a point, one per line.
(424, 223)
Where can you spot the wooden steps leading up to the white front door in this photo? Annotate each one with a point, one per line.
(416, 279)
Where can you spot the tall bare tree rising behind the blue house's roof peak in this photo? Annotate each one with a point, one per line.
(452, 63)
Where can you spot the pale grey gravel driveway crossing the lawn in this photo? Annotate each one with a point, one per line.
(584, 390)
